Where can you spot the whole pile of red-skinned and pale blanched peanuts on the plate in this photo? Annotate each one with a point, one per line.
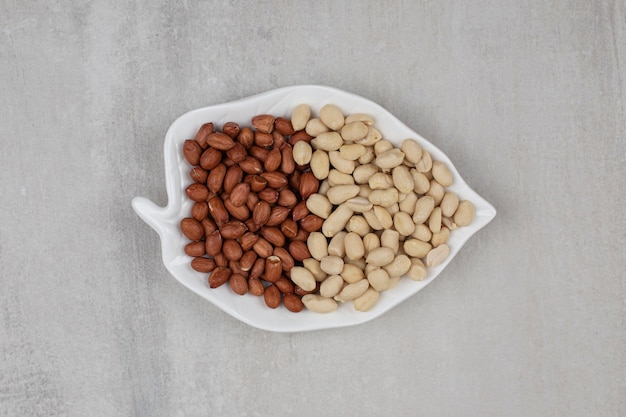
(316, 211)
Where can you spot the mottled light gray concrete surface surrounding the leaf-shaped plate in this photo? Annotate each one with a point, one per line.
(528, 100)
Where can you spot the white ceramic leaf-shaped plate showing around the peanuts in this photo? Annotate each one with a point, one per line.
(280, 102)
